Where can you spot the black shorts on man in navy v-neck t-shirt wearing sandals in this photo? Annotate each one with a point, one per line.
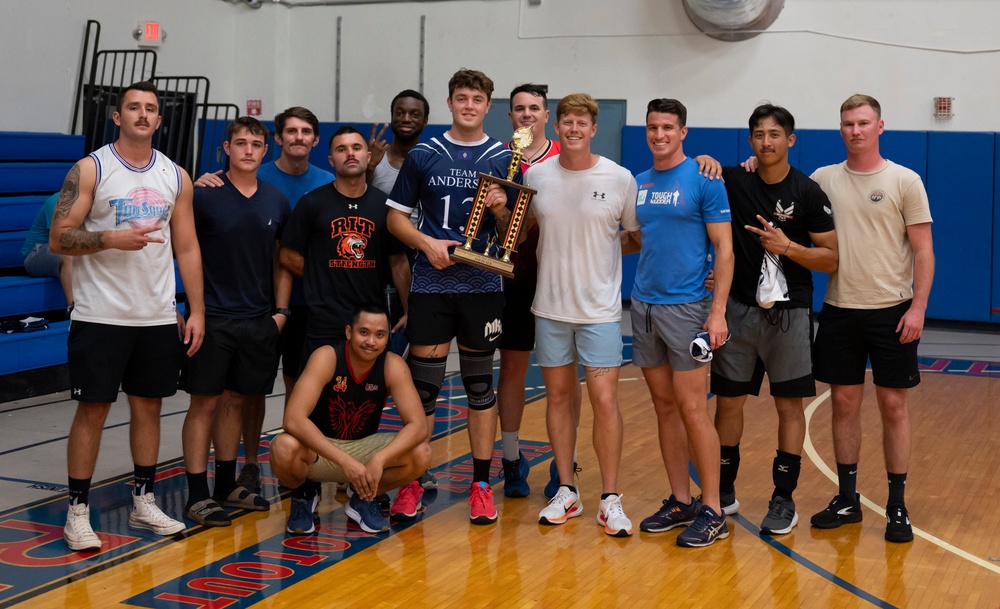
(240, 355)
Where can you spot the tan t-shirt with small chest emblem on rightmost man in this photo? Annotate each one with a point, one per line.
(871, 212)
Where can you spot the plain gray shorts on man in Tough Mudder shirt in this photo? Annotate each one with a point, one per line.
(662, 334)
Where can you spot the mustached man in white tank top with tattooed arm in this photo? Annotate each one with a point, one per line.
(125, 212)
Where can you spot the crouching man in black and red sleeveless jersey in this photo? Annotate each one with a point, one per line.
(331, 424)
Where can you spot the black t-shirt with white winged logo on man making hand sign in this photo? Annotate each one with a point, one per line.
(796, 205)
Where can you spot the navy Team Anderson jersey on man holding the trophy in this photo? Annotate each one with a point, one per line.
(440, 177)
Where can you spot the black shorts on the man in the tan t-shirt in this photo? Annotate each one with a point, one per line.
(848, 338)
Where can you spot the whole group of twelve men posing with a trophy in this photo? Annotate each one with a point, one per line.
(391, 214)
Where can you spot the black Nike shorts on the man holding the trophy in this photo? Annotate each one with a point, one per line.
(473, 318)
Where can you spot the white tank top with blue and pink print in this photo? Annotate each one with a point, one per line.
(134, 288)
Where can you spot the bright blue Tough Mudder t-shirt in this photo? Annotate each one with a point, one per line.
(673, 207)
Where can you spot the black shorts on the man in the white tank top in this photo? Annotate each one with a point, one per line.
(144, 361)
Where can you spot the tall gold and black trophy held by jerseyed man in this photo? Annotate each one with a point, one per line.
(483, 260)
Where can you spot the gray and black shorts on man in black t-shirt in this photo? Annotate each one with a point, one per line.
(778, 341)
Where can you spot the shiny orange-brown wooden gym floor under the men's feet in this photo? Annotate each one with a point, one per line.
(443, 561)
